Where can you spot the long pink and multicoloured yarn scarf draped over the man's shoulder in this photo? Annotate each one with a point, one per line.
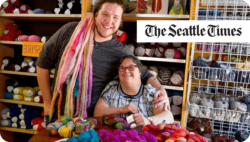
(75, 69)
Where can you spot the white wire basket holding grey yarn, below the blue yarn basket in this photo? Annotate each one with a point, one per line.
(229, 115)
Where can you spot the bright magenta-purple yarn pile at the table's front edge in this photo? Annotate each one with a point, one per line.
(128, 136)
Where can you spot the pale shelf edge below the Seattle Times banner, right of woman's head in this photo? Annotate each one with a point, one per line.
(155, 59)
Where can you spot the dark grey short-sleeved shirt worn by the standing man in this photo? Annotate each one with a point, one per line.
(104, 59)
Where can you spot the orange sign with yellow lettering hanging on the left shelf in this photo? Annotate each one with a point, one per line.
(32, 49)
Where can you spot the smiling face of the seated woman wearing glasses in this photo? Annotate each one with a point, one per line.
(129, 76)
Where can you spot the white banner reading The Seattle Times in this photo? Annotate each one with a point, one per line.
(193, 31)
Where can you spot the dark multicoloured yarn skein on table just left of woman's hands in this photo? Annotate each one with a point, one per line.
(115, 121)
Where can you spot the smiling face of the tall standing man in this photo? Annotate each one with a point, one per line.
(107, 21)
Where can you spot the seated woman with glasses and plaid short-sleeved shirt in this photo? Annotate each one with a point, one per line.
(129, 96)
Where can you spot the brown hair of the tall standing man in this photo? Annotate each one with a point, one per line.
(99, 4)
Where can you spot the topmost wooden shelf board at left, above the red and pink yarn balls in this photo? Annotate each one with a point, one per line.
(43, 17)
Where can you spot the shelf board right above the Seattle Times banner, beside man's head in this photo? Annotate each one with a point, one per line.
(134, 17)
